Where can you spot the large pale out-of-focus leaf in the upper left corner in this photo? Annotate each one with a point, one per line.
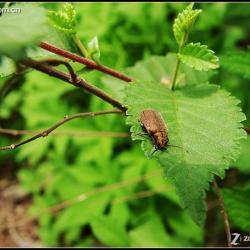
(22, 30)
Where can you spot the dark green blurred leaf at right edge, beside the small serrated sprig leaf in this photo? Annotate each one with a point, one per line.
(237, 62)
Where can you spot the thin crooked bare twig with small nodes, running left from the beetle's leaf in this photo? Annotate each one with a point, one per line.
(58, 124)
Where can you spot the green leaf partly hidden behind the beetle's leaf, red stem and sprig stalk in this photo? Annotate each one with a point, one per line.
(158, 69)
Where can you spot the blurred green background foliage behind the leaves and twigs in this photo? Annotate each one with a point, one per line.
(141, 209)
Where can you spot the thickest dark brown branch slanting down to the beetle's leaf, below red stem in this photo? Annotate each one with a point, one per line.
(78, 83)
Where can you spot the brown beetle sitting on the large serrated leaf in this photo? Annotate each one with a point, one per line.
(154, 125)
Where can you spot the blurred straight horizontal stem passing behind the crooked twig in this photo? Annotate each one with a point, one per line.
(15, 132)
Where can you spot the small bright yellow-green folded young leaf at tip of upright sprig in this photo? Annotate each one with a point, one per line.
(184, 22)
